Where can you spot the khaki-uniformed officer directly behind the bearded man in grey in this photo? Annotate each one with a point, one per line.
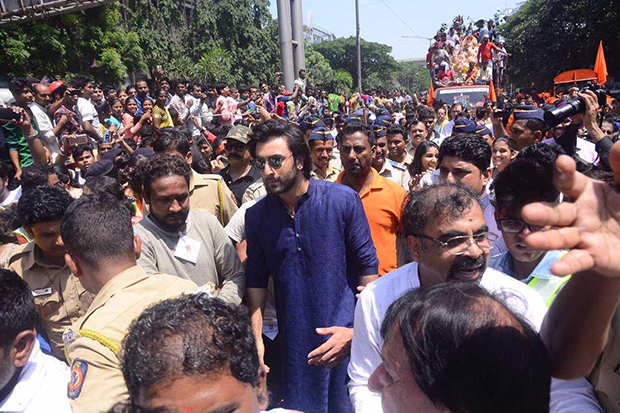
(207, 192)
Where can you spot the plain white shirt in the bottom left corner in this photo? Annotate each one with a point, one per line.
(42, 386)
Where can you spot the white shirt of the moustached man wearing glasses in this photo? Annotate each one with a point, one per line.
(374, 302)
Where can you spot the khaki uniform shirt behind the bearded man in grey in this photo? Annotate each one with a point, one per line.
(210, 193)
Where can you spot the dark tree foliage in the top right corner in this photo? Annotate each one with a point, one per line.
(548, 37)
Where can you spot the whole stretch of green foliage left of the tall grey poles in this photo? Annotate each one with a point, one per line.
(228, 40)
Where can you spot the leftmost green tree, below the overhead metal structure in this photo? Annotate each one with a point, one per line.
(92, 41)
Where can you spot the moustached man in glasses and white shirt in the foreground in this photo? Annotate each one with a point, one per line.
(449, 240)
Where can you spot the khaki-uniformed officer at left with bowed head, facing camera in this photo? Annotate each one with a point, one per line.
(59, 297)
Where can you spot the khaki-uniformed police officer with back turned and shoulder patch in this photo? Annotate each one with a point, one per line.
(102, 254)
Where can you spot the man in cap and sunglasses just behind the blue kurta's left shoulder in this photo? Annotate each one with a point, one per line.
(240, 173)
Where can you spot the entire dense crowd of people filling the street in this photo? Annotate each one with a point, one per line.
(220, 249)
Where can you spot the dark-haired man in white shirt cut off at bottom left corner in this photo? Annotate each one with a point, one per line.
(30, 381)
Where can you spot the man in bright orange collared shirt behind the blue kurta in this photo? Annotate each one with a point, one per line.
(382, 198)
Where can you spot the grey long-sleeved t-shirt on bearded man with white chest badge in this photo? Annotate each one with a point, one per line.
(217, 263)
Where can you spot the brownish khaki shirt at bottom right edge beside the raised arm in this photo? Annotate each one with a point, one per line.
(605, 377)
